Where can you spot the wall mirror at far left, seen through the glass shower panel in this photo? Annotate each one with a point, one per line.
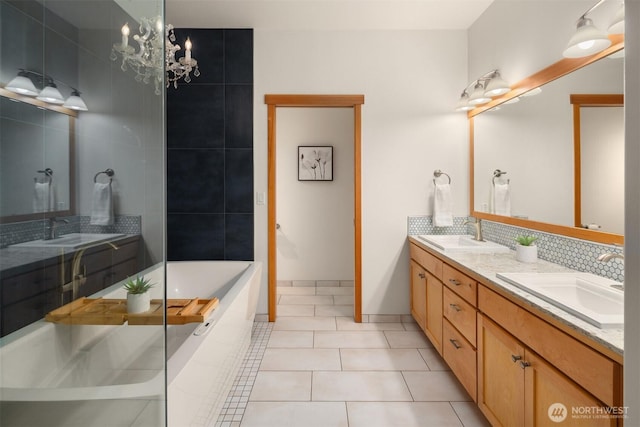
(37, 162)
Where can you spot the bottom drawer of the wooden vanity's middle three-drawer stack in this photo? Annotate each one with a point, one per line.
(460, 355)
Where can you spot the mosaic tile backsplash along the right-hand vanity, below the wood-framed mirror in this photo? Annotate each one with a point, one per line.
(580, 255)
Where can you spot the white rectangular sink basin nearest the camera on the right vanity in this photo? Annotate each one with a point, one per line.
(587, 296)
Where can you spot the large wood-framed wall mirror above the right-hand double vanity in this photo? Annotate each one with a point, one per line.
(553, 151)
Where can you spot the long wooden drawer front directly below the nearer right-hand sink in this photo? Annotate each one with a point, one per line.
(598, 374)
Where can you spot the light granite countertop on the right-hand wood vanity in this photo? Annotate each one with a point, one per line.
(487, 265)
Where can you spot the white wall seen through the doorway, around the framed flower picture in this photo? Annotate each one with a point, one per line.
(316, 237)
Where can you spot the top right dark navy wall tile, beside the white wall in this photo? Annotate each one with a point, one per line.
(238, 56)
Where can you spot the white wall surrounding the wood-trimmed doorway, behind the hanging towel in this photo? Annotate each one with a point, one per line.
(411, 81)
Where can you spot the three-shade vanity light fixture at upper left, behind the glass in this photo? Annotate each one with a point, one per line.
(27, 82)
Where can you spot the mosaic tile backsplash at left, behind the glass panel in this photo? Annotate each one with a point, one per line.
(19, 232)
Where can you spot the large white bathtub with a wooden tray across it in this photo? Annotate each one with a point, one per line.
(70, 371)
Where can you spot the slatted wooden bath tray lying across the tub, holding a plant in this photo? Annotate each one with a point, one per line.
(101, 311)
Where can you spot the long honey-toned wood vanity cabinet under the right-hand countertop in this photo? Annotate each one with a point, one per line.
(513, 362)
